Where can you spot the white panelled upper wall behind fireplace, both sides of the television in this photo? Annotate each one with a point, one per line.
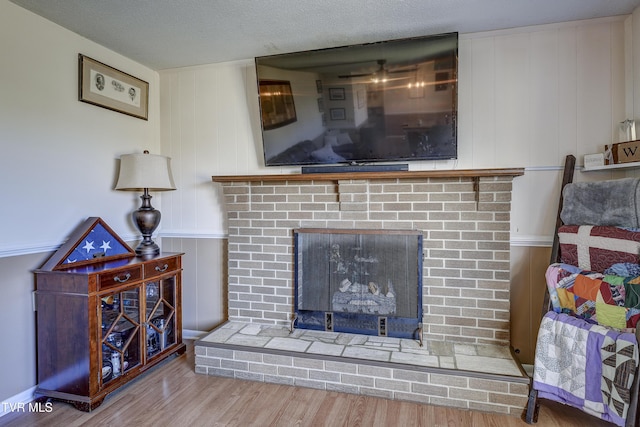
(527, 98)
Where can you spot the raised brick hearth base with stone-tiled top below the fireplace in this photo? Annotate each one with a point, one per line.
(462, 375)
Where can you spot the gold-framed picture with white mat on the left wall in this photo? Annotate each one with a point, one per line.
(106, 87)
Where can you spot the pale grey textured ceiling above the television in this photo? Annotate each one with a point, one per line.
(176, 33)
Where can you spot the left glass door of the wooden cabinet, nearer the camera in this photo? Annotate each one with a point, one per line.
(120, 317)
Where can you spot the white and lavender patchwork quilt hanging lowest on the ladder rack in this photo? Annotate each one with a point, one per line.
(585, 365)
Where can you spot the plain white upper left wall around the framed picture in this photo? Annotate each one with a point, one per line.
(59, 155)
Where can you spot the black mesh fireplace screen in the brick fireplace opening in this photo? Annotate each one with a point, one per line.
(359, 281)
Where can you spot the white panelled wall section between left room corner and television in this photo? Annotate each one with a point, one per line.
(209, 125)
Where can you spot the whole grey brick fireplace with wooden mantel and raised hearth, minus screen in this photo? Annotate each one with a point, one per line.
(464, 217)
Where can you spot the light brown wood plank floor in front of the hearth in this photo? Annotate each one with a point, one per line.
(174, 395)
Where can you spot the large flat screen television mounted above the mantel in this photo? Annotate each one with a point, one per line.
(378, 102)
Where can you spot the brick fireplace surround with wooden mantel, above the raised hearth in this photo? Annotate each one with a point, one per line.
(465, 220)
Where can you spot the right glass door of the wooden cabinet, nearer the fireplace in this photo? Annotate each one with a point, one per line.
(160, 315)
